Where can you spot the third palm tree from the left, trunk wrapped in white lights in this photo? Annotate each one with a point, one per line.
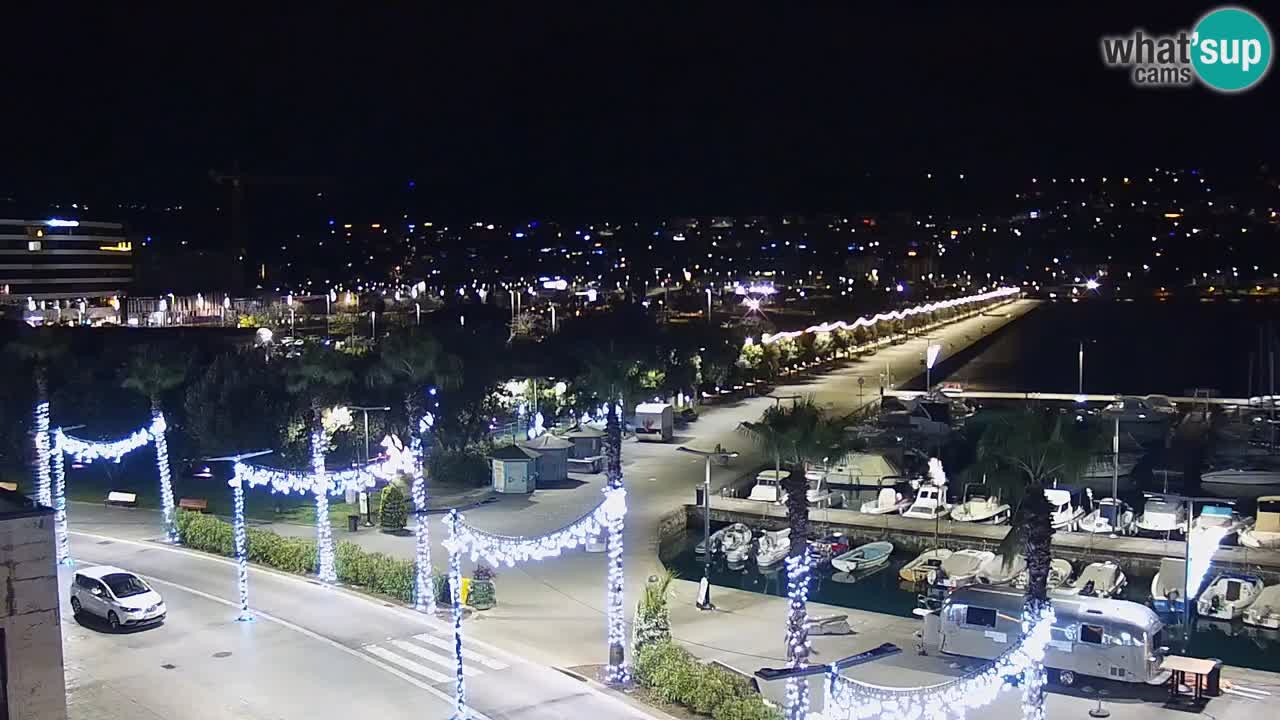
(319, 375)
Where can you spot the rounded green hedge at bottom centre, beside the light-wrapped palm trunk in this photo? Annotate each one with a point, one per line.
(676, 677)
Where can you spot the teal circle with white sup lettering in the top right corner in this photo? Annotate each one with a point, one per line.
(1231, 49)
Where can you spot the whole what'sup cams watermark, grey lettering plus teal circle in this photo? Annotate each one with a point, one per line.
(1229, 51)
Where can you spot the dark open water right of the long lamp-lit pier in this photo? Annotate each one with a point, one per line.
(1131, 348)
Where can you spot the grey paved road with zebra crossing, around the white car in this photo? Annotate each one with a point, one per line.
(313, 653)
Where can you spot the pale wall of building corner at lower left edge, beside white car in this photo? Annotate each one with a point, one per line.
(30, 617)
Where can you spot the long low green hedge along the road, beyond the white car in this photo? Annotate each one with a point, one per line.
(376, 572)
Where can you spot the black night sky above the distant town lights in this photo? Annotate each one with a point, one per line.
(580, 107)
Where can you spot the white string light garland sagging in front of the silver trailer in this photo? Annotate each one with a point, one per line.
(1023, 664)
